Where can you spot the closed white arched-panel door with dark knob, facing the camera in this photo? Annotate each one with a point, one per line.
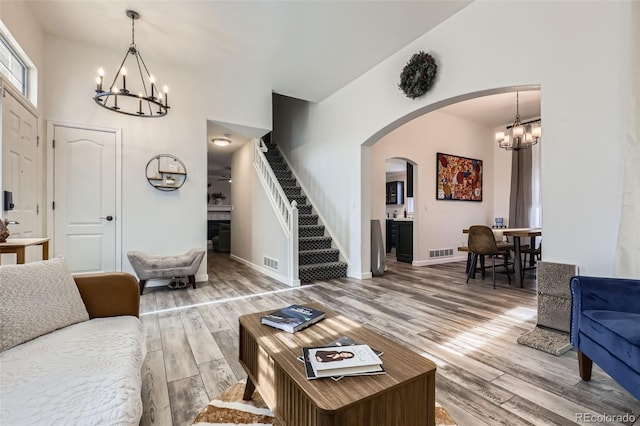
(85, 196)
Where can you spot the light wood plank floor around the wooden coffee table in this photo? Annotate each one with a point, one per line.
(469, 330)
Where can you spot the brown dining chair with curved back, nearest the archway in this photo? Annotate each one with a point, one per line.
(481, 243)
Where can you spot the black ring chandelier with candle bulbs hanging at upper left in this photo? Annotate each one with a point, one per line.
(141, 99)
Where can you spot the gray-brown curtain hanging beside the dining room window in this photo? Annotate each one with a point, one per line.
(520, 201)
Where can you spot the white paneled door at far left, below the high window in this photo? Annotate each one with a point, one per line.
(20, 170)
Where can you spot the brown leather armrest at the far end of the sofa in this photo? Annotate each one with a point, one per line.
(109, 294)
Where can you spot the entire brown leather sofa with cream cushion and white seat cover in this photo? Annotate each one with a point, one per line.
(72, 349)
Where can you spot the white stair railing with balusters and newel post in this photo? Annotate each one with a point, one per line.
(286, 212)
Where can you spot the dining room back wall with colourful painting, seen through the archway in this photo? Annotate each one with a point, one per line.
(438, 224)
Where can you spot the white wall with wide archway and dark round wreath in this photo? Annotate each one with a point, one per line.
(585, 81)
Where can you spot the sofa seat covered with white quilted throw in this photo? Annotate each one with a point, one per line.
(84, 374)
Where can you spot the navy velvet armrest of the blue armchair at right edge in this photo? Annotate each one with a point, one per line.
(601, 293)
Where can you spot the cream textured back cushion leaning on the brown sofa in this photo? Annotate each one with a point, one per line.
(37, 298)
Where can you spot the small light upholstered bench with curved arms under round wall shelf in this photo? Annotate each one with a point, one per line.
(166, 267)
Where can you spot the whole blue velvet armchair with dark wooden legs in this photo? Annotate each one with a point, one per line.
(605, 328)
